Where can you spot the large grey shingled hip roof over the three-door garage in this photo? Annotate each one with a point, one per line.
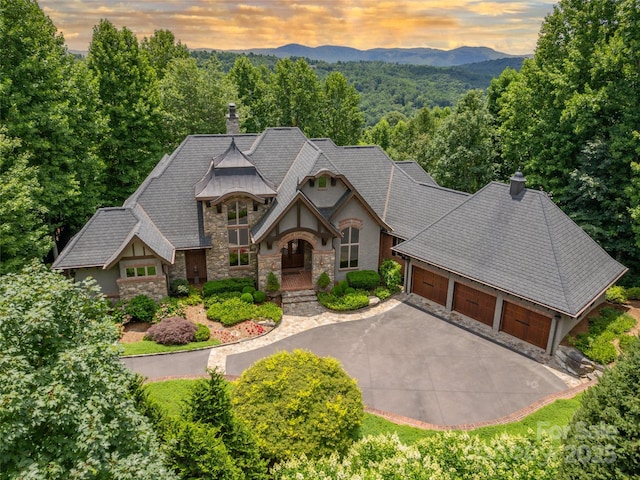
(523, 245)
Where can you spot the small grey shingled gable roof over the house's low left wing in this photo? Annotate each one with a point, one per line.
(102, 240)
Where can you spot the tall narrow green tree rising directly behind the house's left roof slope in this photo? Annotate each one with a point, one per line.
(129, 92)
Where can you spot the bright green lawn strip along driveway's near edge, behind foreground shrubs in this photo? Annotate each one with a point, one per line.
(549, 419)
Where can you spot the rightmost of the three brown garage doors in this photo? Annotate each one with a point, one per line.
(530, 326)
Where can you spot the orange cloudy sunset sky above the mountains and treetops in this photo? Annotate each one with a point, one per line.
(506, 25)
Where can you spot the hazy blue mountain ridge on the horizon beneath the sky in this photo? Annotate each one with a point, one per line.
(413, 56)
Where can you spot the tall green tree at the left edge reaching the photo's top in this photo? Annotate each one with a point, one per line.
(49, 101)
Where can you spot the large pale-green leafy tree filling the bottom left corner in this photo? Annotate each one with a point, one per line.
(68, 407)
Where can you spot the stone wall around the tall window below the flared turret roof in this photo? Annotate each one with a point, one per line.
(218, 255)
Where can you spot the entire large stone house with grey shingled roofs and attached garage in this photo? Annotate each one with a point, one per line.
(247, 205)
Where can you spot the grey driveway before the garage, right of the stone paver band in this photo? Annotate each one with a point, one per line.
(413, 364)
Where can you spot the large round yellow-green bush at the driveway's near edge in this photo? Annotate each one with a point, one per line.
(299, 404)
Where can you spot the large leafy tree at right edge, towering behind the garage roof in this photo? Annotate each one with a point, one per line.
(573, 106)
